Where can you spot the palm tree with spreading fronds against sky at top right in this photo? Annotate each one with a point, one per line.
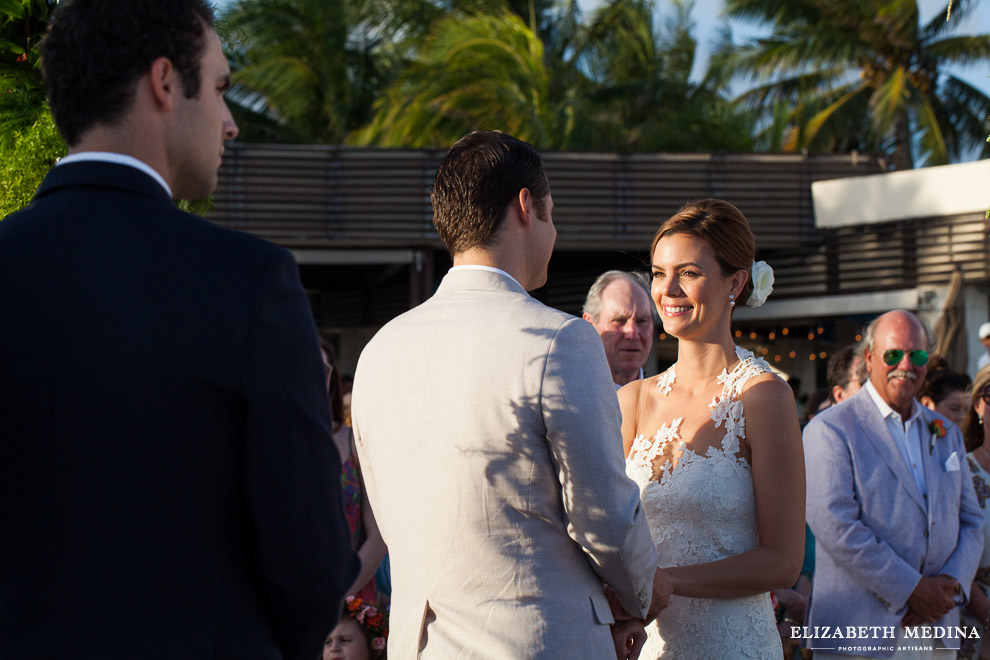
(866, 74)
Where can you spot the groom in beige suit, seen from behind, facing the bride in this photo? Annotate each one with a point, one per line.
(488, 432)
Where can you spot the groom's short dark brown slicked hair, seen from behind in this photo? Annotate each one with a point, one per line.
(475, 183)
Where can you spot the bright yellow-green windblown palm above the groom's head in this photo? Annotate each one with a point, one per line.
(484, 70)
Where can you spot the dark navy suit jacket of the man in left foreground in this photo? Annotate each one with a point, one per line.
(168, 484)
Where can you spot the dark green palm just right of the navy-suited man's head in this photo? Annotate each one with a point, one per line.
(304, 70)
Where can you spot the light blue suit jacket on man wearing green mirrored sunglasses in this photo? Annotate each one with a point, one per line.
(876, 535)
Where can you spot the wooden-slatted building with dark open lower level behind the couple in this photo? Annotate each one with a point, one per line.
(360, 224)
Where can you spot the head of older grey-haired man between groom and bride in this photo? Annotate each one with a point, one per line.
(618, 306)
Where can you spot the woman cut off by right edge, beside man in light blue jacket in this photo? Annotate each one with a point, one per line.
(977, 436)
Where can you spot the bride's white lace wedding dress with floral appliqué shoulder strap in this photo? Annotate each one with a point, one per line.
(700, 511)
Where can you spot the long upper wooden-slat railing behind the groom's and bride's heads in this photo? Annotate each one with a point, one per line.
(321, 196)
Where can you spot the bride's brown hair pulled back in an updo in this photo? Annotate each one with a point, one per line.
(726, 231)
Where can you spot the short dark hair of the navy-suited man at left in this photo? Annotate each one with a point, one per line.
(96, 50)
